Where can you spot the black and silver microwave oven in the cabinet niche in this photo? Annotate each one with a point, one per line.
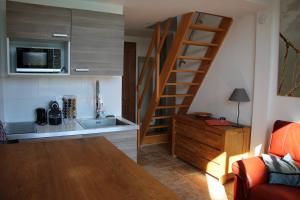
(38, 60)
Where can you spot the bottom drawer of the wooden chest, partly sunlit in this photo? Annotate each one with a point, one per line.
(205, 165)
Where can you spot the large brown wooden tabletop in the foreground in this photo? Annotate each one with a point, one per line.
(90, 168)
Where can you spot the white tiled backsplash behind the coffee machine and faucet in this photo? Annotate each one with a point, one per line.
(23, 95)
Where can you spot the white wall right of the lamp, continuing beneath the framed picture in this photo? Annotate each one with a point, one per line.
(268, 107)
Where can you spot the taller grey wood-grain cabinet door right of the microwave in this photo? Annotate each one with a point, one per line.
(97, 43)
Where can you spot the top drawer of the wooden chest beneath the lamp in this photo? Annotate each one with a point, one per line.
(200, 135)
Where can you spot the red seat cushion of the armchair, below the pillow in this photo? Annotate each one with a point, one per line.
(274, 192)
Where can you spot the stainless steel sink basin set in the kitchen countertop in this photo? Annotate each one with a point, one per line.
(100, 123)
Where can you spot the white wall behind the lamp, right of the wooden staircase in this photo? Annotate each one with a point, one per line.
(232, 68)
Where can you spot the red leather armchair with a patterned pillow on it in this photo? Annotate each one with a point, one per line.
(251, 175)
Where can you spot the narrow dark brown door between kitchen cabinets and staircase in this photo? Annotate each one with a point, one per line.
(129, 82)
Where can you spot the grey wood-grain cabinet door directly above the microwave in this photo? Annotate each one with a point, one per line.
(38, 22)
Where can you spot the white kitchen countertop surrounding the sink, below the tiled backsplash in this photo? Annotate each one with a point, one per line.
(70, 128)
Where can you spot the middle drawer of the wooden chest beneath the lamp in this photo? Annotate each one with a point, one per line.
(200, 150)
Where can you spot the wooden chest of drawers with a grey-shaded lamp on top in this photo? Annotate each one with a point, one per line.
(210, 148)
